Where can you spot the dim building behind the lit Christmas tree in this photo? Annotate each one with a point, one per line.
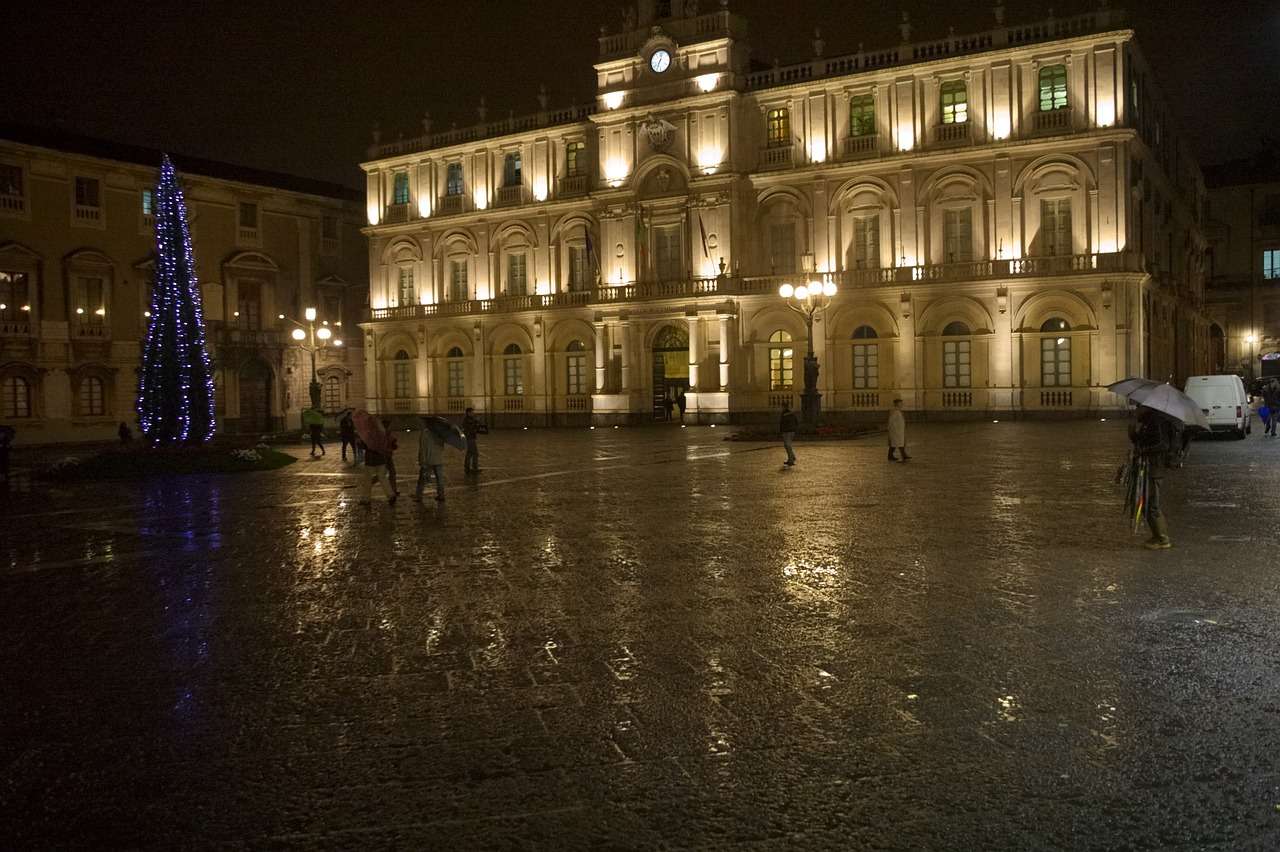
(77, 251)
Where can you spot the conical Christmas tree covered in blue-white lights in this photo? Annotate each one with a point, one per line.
(176, 386)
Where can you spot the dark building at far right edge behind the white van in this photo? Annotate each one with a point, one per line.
(1244, 232)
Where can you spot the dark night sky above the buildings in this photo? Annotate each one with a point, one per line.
(296, 86)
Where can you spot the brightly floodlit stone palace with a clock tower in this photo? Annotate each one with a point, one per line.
(1007, 216)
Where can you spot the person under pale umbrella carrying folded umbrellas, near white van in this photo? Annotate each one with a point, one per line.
(1163, 410)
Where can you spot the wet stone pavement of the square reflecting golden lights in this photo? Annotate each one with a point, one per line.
(652, 640)
